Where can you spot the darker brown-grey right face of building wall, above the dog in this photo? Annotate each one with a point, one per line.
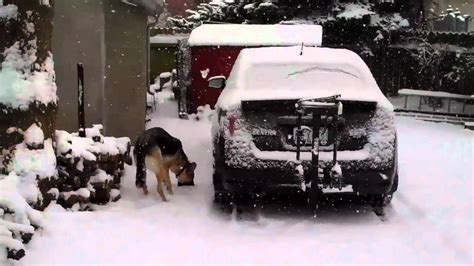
(126, 69)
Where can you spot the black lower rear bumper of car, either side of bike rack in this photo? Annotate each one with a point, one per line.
(272, 180)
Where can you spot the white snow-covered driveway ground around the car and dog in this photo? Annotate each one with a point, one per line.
(430, 220)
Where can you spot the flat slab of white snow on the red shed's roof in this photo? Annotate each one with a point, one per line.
(256, 35)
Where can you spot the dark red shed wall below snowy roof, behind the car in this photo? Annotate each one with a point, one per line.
(219, 61)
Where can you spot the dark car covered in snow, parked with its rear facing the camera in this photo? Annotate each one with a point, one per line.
(256, 125)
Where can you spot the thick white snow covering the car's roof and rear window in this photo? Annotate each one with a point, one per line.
(319, 72)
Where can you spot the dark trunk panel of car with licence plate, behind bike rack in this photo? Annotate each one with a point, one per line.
(273, 123)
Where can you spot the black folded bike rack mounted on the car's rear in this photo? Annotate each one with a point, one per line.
(327, 109)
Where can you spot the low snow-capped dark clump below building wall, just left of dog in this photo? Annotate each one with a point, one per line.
(91, 167)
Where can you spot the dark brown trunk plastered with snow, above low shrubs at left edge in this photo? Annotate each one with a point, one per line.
(27, 77)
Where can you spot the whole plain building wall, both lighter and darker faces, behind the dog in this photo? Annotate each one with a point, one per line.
(110, 39)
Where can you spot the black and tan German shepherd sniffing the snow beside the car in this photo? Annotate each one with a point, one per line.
(160, 152)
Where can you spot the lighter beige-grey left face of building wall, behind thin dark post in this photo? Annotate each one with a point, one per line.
(78, 36)
